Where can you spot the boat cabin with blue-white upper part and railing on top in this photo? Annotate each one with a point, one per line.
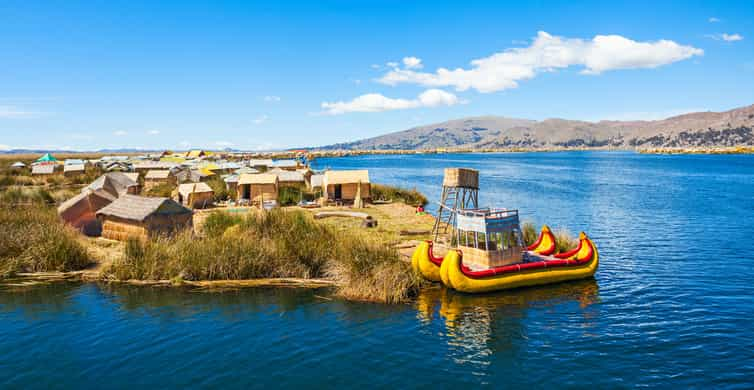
(489, 237)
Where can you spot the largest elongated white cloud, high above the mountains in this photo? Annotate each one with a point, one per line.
(548, 53)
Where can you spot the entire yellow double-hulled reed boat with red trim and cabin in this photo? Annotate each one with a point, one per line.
(490, 255)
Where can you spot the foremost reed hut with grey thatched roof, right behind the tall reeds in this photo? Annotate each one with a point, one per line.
(142, 217)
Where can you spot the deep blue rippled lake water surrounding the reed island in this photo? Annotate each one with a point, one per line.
(671, 304)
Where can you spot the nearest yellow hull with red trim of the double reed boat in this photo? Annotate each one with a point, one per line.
(578, 263)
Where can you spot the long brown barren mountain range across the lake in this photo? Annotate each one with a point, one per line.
(699, 129)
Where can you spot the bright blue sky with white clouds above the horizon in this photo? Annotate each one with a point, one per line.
(90, 75)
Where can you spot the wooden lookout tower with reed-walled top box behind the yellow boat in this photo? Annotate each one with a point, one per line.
(460, 190)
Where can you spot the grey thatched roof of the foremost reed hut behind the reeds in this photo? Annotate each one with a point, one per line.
(139, 208)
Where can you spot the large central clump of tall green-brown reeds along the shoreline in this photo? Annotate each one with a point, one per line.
(273, 244)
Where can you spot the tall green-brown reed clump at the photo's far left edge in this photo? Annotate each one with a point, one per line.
(32, 239)
